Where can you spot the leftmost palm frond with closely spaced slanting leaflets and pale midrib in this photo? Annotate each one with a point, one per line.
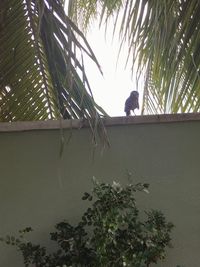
(26, 90)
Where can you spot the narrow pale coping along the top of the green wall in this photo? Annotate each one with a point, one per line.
(110, 121)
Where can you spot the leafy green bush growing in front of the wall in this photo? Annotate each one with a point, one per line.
(110, 233)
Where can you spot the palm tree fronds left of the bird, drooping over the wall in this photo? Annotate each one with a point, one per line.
(42, 73)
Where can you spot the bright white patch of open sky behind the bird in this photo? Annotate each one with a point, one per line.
(112, 89)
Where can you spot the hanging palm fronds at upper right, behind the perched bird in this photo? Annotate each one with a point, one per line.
(164, 43)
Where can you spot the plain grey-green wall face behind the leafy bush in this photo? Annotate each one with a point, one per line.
(39, 189)
